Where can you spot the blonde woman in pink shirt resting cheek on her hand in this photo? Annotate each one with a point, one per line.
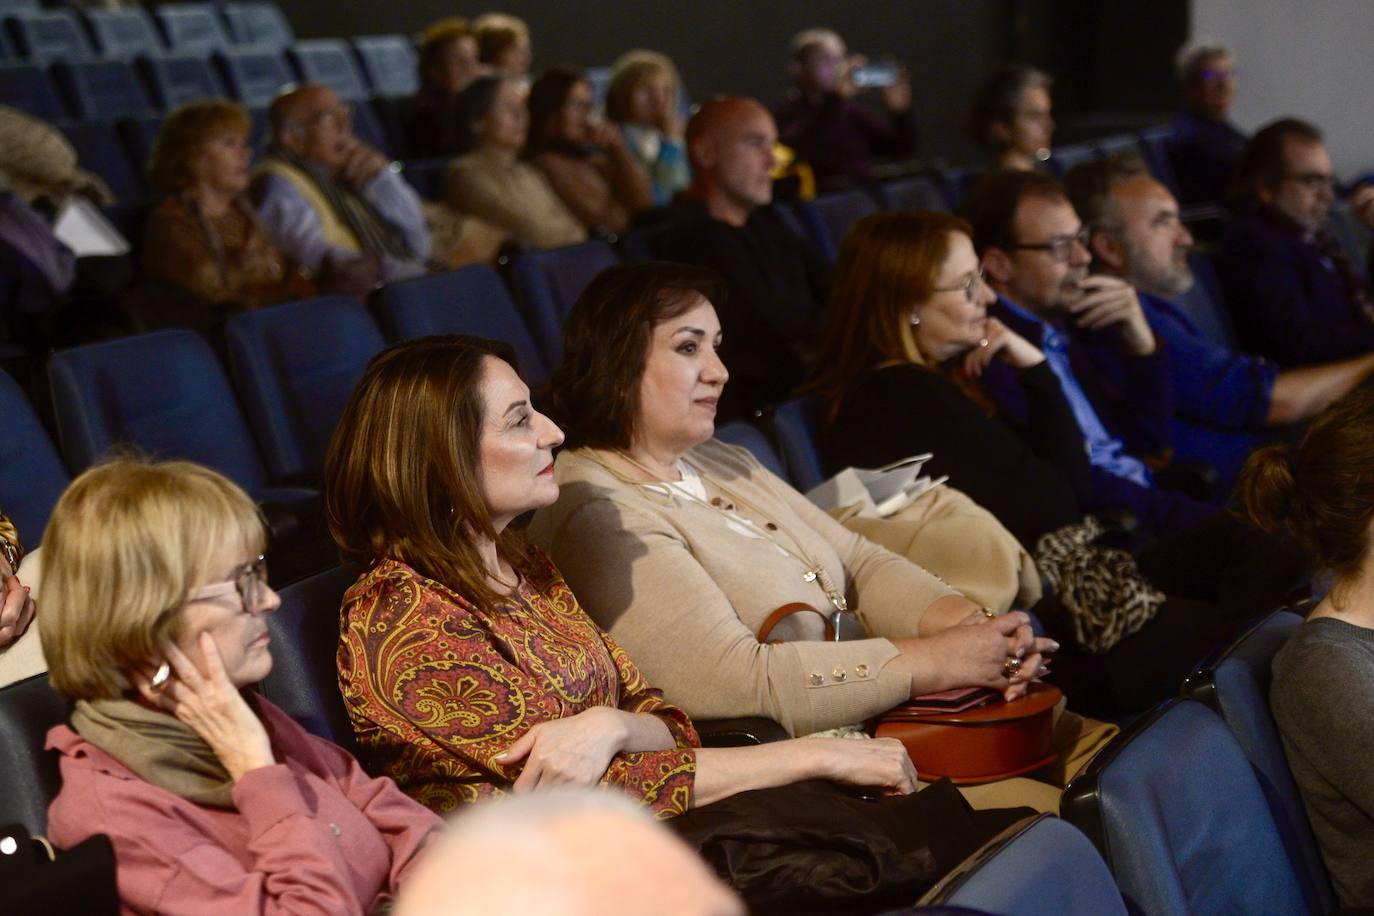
(215, 800)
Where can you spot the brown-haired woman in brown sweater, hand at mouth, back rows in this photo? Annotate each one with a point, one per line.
(585, 159)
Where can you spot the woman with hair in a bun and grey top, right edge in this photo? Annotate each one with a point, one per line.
(1325, 675)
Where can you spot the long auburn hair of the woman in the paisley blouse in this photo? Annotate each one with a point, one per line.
(403, 470)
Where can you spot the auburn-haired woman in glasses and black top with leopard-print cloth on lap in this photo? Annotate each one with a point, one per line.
(909, 339)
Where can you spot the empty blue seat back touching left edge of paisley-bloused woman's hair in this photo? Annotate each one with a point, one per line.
(295, 367)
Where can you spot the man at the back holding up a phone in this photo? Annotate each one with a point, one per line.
(820, 119)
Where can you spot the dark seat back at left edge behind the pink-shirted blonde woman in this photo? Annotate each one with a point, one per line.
(28, 711)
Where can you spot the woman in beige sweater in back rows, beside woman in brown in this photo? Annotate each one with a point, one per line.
(493, 183)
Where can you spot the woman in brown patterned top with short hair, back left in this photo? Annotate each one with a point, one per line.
(204, 237)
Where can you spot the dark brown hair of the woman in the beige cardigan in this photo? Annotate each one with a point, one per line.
(596, 392)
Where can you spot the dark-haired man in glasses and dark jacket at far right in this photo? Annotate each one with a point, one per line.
(1294, 293)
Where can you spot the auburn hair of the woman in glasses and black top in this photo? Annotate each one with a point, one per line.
(888, 264)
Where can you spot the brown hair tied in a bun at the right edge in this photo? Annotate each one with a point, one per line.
(1325, 494)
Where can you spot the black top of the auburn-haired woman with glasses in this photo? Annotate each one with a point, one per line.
(1031, 479)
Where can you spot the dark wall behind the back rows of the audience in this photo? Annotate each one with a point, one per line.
(1096, 50)
